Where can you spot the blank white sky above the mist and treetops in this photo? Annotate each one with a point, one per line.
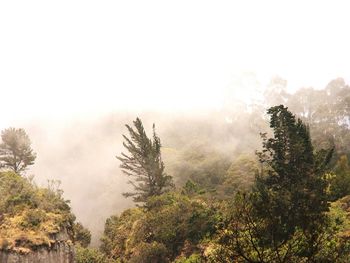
(60, 58)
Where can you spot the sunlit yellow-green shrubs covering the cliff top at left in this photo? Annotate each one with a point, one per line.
(30, 216)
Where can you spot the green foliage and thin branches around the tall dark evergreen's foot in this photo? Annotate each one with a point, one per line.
(243, 238)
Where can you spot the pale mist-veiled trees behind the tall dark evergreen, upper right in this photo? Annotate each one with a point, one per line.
(325, 110)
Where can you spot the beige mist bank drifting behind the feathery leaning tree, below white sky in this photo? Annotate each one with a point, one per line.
(80, 150)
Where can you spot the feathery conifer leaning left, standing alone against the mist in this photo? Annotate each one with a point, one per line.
(144, 164)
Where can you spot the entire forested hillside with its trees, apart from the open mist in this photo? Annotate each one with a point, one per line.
(269, 182)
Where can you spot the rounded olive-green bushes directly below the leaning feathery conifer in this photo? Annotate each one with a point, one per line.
(173, 224)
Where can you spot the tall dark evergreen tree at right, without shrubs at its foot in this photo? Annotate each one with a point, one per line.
(291, 191)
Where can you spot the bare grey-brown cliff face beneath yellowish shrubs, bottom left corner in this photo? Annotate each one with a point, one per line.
(60, 252)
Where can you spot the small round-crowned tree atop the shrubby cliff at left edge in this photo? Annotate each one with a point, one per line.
(16, 153)
